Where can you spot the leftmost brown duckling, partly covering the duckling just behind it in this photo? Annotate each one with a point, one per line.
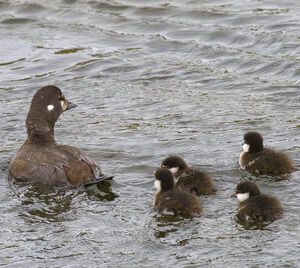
(168, 200)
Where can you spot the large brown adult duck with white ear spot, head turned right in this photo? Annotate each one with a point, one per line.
(40, 158)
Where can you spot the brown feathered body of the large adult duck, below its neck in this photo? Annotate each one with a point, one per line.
(54, 165)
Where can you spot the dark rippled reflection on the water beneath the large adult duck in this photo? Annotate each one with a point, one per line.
(50, 204)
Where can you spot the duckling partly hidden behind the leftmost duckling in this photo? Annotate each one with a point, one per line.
(189, 179)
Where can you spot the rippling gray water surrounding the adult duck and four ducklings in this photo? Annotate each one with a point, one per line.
(150, 78)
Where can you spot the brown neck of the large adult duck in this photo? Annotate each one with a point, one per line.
(39, 132)
